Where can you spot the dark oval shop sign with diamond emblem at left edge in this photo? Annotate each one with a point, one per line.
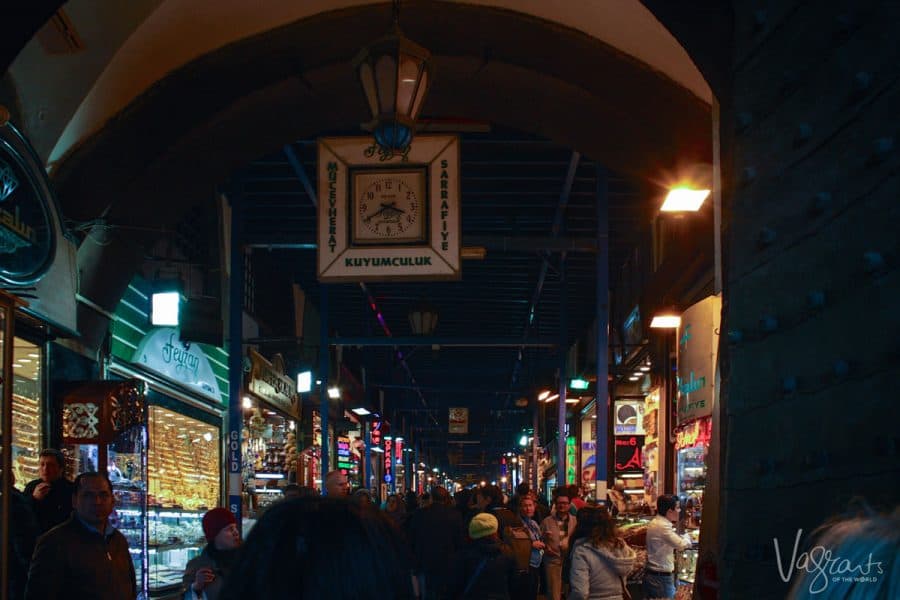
(27, 229)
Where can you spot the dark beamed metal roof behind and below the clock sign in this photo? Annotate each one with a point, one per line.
(532, 205)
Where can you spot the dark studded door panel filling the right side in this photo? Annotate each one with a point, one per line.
(812, 208)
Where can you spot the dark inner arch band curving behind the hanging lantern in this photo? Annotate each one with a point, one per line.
(171, 144)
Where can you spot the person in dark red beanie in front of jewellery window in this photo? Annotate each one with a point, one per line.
(204, 576)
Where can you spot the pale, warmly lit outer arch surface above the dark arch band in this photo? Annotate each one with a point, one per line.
(175, 32)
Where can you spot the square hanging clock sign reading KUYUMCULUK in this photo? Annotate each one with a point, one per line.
(388, 220)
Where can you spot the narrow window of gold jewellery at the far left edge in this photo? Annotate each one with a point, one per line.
(26, 411)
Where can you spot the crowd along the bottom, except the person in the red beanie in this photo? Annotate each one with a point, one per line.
(344, 545)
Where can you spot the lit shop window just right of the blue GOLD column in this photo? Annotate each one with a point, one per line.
(270, 456)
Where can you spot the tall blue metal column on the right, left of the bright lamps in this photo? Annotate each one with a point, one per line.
(601, 400)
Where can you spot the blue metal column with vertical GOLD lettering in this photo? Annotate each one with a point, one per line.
(235, 353)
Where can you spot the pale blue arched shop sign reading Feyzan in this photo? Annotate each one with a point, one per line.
(163, 352)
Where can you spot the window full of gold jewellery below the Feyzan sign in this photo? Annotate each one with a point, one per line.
(184, 484)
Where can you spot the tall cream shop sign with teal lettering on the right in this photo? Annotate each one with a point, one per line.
(698, 342)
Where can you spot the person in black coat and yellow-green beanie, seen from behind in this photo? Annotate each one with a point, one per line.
(486, 569)
